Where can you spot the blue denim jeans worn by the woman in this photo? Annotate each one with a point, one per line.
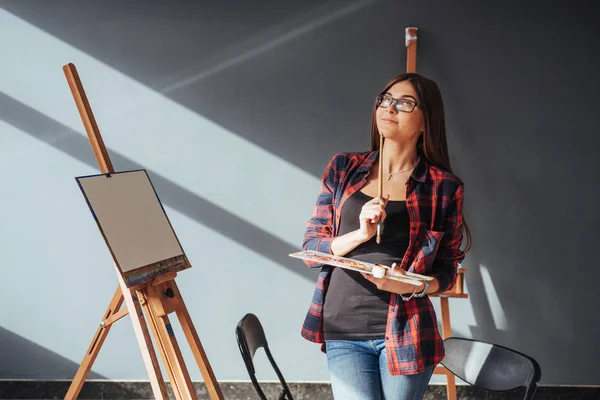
(358, 370)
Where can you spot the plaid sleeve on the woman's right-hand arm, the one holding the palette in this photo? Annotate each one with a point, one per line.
(449, 254)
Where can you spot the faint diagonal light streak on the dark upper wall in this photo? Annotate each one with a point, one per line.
(265, 42)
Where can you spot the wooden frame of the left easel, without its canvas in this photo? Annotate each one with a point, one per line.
(148, 302)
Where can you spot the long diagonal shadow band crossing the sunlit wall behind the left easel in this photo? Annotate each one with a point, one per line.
(77, 146)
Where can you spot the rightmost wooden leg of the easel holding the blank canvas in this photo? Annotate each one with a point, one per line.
(192, 336)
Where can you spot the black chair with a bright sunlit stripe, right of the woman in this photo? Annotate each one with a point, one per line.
(491, 366)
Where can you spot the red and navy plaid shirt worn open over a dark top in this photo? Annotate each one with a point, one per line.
(434, 200)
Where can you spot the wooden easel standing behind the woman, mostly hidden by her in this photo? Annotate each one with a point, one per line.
(458, 290)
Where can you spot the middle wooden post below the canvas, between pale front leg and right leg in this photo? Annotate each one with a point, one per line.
(169, 349)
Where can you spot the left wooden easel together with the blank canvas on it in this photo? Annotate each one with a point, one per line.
(147, 257)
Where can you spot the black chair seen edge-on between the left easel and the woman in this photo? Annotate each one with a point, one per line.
(250, 337)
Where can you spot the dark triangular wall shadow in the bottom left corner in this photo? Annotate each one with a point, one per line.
(33, 361)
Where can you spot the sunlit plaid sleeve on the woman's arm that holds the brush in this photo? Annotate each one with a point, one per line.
(318, 234)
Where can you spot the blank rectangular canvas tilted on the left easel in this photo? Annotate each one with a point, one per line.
(131, 218)
